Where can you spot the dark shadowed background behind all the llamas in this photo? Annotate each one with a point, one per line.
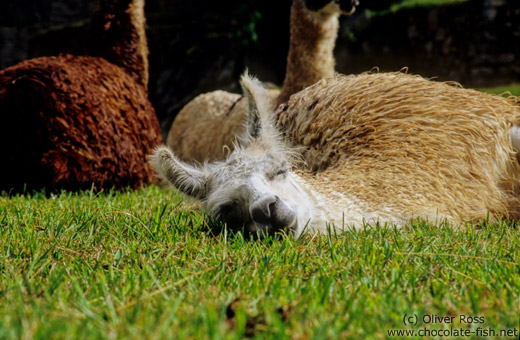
(201, 45)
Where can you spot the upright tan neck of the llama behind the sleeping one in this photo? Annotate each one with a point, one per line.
(311, 48)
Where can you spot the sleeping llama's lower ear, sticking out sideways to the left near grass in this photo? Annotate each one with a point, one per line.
(184, 177)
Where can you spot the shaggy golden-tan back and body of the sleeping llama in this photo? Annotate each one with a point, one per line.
(403, 144)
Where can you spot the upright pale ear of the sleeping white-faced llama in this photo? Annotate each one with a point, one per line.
(257, 102)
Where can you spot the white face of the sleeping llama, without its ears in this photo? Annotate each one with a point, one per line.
(254, 193)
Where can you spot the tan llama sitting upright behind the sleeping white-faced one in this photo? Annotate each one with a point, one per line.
(207, 126)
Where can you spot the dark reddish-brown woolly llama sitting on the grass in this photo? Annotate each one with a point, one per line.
(73, 122)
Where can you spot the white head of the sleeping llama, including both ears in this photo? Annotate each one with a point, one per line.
(254, 187)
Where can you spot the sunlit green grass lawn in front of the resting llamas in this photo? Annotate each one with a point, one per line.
(144, 265)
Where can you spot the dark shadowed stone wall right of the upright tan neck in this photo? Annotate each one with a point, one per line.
(476, 42)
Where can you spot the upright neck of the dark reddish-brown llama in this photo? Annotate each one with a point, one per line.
(118, 35)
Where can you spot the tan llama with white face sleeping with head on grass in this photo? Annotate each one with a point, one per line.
(377, 148)
